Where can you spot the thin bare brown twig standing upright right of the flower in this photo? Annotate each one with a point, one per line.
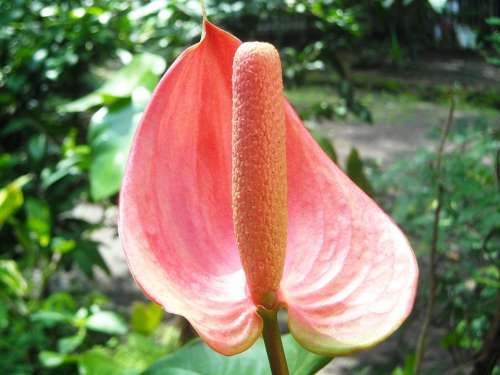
(433, 255)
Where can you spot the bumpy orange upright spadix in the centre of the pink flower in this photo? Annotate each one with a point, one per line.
(259, 187)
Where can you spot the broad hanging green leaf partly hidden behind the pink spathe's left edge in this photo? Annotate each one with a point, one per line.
(110, 137)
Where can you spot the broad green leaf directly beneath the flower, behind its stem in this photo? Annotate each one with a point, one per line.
(251, 362)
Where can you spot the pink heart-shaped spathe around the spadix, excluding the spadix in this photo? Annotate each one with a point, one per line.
(350, 276)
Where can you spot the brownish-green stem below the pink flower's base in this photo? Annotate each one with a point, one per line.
(272, 340)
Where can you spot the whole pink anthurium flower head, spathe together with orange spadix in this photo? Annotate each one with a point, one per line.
(228, 205)
